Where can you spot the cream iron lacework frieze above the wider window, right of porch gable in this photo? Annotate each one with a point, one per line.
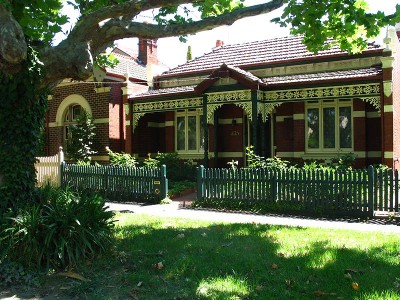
(360, 90)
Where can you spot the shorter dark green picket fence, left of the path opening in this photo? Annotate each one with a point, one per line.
(117, 183)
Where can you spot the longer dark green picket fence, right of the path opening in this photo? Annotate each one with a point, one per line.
(357, 192)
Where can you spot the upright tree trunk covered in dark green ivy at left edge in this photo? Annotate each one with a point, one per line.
(22, 108)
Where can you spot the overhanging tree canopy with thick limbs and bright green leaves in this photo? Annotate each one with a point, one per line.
(103, 21)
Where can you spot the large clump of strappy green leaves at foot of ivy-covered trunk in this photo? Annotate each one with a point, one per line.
(60, 230)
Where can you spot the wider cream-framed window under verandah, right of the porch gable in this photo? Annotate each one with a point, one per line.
(329, 125)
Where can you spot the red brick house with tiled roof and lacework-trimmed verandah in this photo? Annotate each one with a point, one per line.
(277, 96)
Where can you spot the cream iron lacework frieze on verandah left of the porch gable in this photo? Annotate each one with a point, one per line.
(167, 104)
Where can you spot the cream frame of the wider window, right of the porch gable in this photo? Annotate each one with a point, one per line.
(320, 105)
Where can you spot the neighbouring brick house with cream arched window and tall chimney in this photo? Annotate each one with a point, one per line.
(103, 96)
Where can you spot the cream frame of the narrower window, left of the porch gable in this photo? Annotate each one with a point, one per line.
(187, 113)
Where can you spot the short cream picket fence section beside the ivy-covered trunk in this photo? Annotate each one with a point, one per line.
(48, 169)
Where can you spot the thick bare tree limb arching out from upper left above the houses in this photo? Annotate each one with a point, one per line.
(72, 58)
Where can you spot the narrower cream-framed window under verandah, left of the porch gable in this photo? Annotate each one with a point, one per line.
(189, 131)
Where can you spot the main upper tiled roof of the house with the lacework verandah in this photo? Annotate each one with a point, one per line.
(255, 53)
